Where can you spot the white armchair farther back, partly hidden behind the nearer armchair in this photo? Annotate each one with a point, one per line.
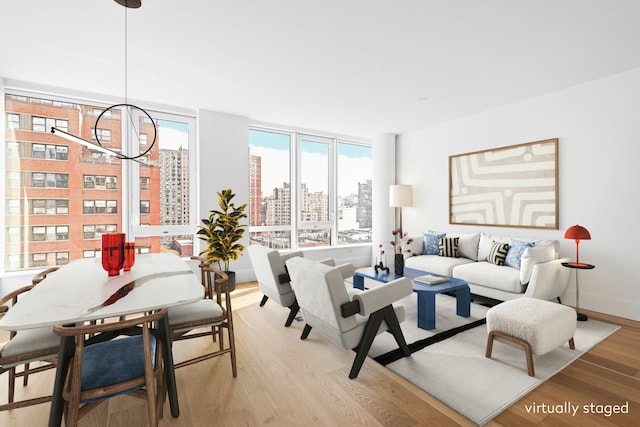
(273, 279)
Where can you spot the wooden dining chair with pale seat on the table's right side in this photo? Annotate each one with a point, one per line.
(208, 317)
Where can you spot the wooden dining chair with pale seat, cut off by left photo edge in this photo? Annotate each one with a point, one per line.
(23, 349)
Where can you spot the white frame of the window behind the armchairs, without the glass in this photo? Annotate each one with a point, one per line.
(297, 223)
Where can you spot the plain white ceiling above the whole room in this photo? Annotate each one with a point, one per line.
(355, 67)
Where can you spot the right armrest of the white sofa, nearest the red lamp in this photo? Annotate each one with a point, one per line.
(548, 280)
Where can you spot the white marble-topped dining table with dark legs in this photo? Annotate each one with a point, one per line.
(81, 291)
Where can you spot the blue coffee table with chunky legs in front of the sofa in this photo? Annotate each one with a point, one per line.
(426, 294)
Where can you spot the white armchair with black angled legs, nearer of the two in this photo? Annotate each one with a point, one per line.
(351, 321)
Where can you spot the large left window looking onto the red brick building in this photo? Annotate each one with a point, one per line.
(87, 184)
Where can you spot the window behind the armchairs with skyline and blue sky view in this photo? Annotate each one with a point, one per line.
(330, 194)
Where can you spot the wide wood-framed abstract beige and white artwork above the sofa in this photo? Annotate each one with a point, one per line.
(514, 186)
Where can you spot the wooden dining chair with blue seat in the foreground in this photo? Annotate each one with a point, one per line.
(121, 357)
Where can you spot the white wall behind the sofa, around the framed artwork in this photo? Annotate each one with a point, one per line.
(598, 127)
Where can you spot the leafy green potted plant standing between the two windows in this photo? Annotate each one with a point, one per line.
(223, 231)
